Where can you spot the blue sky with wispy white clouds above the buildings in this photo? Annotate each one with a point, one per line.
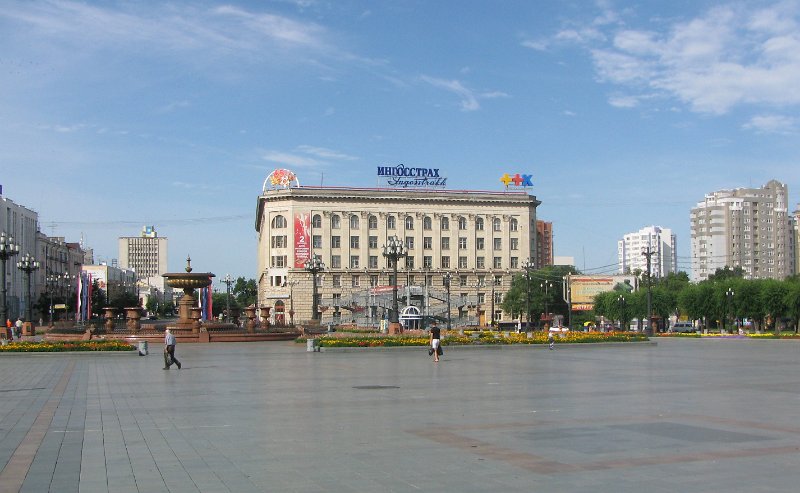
(120, 114)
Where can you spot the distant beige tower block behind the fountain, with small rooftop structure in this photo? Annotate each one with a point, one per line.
(146, 253)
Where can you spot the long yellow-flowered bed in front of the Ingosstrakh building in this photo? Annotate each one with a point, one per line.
(482, 338)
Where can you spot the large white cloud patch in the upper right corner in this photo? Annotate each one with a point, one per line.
(730, 56)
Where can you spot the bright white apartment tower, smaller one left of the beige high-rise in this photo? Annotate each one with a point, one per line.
(658, 241)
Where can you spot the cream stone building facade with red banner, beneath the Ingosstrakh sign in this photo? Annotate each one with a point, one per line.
(480, 239)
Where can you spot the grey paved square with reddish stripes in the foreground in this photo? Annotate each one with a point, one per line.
(685, 415)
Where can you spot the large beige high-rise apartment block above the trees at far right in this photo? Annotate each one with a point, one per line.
(749, 228)
